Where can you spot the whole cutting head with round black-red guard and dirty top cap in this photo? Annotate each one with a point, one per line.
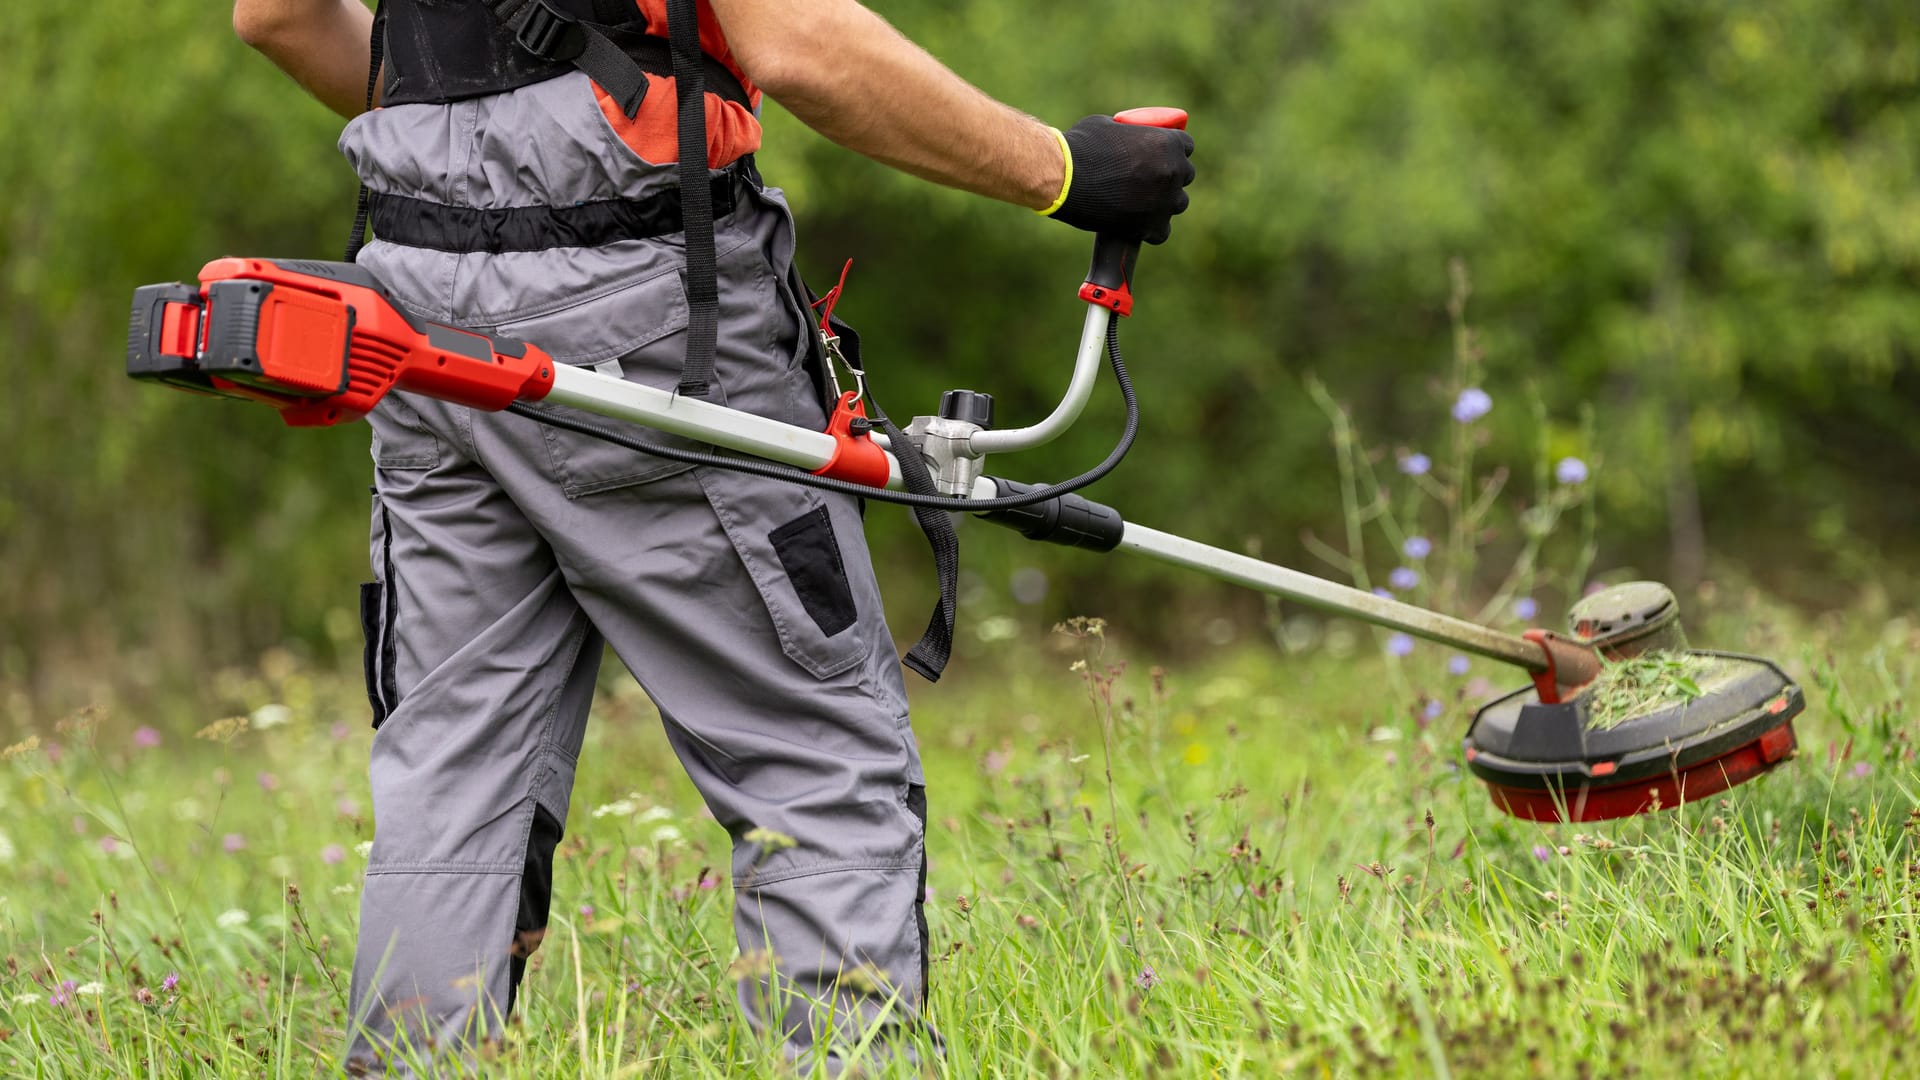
(1602, 754)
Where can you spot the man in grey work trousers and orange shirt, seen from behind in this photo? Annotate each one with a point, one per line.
(506, 554)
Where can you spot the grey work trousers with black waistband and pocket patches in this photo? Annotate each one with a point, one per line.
(506, 554)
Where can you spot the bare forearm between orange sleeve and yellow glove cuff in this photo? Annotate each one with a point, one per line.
(850, 76)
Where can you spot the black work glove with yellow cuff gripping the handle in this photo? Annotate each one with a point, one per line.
(1126, 182)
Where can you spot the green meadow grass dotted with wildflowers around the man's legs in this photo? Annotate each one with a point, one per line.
(1289, 873)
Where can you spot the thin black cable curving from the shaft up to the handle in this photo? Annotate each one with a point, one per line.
(775, 472)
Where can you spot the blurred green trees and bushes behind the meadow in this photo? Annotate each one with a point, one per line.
(1702, 218)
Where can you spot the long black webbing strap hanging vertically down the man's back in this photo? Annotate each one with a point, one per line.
(696, 201)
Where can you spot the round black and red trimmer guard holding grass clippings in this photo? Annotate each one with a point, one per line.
(1547, 764)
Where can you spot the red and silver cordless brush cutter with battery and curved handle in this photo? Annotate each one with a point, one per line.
(324, 343)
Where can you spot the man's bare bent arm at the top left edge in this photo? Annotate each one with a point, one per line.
(322, 43)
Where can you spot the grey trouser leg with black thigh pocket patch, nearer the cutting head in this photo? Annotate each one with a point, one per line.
(750, 614)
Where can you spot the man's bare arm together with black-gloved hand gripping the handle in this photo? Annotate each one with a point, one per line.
(857, 82)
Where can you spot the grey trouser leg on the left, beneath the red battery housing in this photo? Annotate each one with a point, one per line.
(483, 668)
